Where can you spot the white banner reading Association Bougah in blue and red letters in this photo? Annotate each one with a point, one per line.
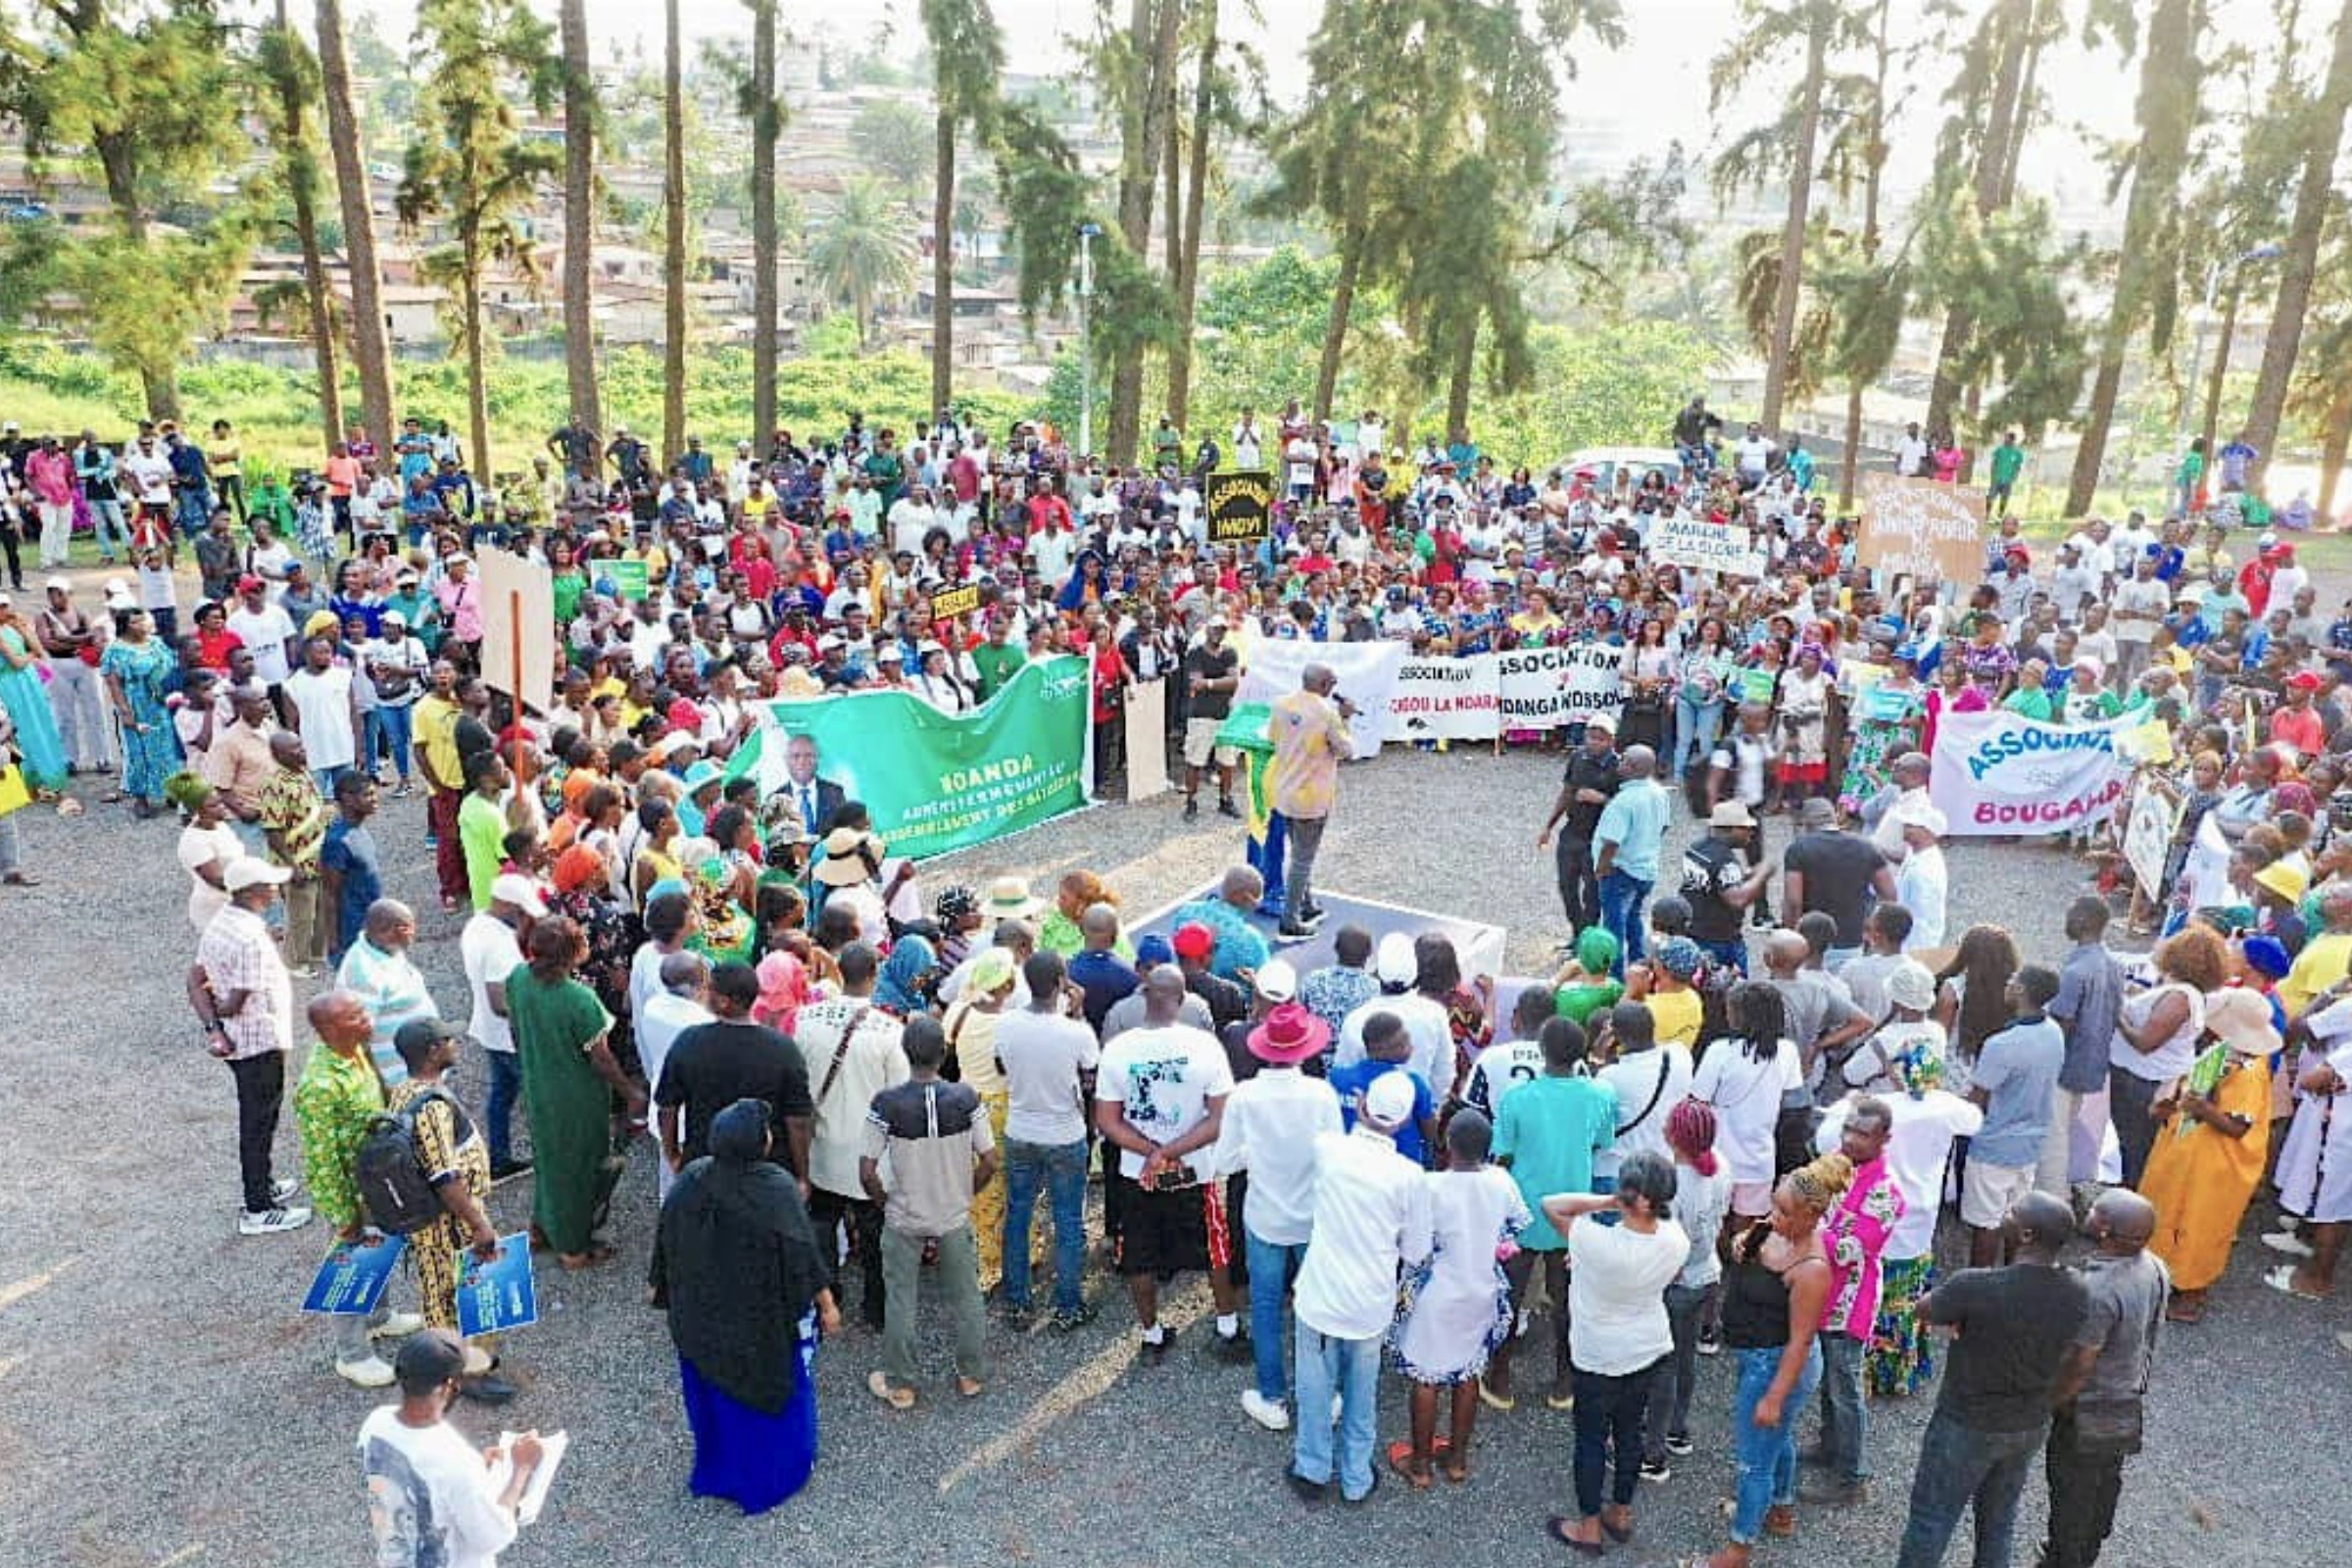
(1998, 772)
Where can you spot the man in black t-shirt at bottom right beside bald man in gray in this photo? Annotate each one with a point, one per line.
(1993, 1409)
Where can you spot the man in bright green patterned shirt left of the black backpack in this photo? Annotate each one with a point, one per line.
(335, 1101)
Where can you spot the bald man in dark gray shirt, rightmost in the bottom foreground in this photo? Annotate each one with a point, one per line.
(2104, 1379)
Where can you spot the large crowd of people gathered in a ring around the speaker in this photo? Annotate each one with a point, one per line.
(1730, 1123)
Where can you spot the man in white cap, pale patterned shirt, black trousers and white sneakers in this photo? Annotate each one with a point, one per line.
(246, 1000)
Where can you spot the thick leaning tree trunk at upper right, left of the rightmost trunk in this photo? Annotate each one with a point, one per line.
(2149, 262)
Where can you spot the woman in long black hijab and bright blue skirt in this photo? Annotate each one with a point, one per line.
(740, 1273)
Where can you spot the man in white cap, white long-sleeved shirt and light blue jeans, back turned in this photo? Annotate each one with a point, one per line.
(1370, 1219)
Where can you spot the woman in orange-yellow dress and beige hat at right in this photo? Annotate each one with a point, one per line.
(2212, 1146)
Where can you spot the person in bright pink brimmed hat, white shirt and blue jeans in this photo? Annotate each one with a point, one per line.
(1271, 1127)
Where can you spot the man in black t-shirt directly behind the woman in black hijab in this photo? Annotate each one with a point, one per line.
(719, 1064)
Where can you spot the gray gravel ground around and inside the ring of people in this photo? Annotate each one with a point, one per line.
(161, 1400)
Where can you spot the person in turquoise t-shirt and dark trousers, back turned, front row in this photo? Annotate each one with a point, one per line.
(1546, 1132)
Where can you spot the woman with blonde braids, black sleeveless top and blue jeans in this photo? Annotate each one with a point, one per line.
(1777, 1285)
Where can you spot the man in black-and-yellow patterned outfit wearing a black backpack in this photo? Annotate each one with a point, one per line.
(453, 1162)
